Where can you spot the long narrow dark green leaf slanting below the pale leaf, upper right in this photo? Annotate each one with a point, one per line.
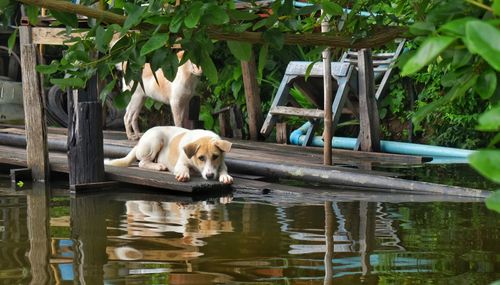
(463, 84)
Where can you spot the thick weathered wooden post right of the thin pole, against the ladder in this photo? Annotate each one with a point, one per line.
(369, 134)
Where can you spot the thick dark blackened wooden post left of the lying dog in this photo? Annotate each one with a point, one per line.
(85, 138)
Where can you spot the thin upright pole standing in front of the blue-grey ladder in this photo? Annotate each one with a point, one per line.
(327, 93)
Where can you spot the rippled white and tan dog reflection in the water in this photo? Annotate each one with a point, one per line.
(179, 229)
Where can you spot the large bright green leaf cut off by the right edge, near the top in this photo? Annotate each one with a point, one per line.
(484, 39)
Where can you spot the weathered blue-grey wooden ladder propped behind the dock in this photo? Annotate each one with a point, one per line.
(345, 72)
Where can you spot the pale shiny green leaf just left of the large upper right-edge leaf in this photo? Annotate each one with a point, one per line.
(427, 52)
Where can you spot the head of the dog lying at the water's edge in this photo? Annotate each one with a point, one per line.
(207, 155)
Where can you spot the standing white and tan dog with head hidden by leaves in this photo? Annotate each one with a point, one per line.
(177, 94)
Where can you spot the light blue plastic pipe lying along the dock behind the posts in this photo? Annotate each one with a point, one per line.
(297, 137)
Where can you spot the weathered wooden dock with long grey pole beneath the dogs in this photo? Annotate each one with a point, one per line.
(248, 162)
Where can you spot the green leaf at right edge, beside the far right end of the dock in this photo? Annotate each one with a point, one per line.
(487, 162)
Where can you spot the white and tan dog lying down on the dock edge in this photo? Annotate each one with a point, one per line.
(178, 150)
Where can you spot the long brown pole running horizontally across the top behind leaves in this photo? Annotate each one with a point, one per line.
(379, 38)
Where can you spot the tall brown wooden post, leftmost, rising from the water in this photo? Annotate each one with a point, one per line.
(34, 113)
